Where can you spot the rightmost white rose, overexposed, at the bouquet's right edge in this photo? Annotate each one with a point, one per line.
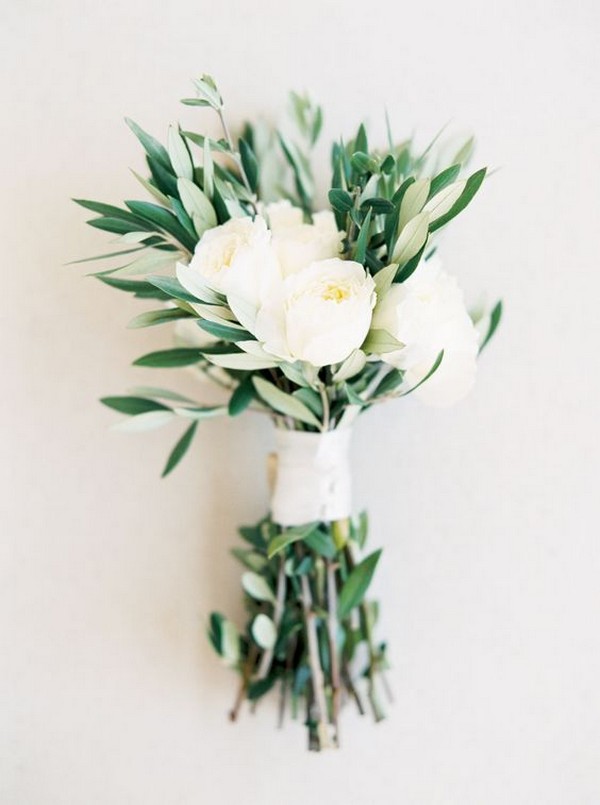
(427, 313)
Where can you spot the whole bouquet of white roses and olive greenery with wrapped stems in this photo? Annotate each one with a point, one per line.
(311, 317)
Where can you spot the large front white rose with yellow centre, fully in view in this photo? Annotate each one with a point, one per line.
(319, 314)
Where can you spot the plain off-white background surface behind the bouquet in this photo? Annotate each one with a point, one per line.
(488, 512)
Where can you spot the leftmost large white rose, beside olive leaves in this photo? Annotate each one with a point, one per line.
(237, 259)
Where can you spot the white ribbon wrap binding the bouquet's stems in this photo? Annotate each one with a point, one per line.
(313, 479)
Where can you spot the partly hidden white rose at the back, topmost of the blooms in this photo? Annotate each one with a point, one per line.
(297, 244)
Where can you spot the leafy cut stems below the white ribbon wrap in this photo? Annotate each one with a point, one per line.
(310, 630)
